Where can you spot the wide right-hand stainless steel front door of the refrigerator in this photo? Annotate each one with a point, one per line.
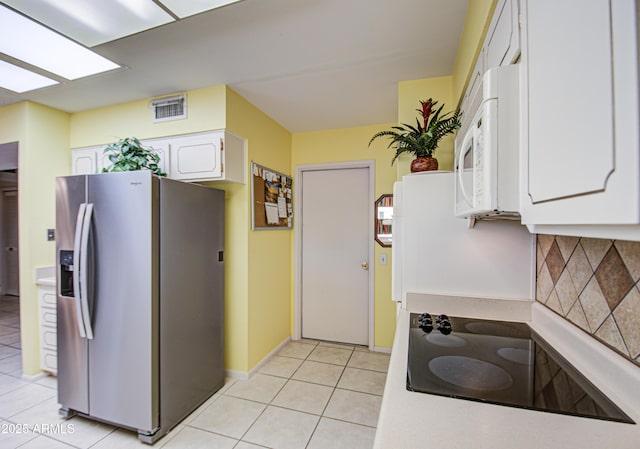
(123, 356)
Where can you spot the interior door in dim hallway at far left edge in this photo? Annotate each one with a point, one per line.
(10, 242)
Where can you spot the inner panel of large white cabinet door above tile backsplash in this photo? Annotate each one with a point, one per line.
(571, 142)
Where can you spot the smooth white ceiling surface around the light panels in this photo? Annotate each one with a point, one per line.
(308, 64)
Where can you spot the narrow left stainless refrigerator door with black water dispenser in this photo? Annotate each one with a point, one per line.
(73, 384)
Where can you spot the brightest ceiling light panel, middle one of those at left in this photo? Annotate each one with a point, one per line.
(37, 45)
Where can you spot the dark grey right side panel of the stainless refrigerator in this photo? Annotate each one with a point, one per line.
(192, 297)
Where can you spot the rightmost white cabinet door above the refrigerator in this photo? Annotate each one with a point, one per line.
(197, 156)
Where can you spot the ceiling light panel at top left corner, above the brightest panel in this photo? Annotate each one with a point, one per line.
(97, 21)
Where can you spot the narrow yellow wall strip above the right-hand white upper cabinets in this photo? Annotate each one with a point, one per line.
(475, 26)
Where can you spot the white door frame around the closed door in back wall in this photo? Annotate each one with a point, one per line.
(297, 235)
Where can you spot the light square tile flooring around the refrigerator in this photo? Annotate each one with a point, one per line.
(311, 395)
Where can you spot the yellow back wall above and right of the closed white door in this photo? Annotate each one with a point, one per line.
(350, 144)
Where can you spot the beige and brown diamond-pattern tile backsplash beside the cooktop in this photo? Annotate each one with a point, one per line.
(593, 283)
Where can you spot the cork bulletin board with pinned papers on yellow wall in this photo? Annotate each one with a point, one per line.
(271, 199)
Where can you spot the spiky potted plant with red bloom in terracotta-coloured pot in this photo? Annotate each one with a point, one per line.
(422, 140)
